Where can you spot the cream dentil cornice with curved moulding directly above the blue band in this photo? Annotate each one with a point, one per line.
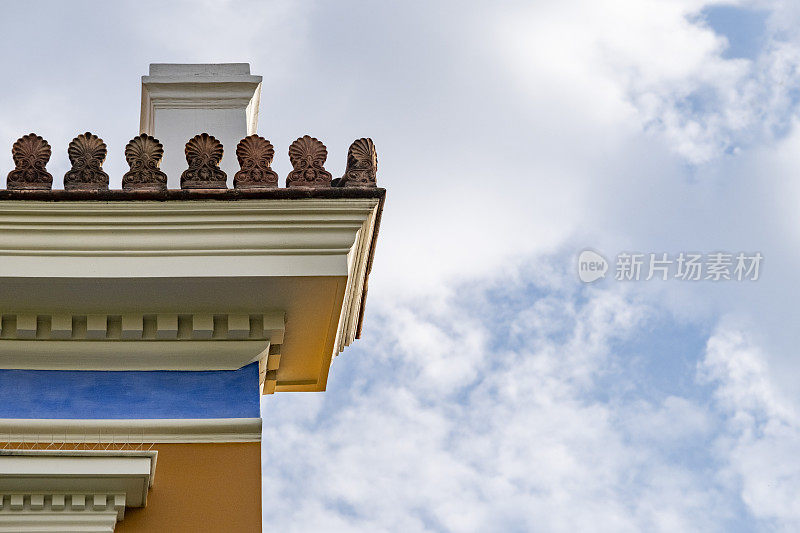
(136, 341)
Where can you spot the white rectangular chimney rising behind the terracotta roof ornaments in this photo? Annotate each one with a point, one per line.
(181, 100)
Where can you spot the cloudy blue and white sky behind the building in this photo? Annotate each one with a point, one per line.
(492, 390)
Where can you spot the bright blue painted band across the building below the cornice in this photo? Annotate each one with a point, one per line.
(155, 394)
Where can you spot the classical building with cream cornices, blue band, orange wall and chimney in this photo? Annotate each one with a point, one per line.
(140, 326)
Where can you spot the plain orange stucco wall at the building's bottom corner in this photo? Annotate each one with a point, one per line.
(202, 487)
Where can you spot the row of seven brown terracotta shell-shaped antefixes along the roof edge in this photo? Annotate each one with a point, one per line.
(202, 179)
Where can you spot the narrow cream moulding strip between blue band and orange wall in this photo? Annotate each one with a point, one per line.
(135, 431)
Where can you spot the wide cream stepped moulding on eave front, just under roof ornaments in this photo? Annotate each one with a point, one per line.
(119, 239)
